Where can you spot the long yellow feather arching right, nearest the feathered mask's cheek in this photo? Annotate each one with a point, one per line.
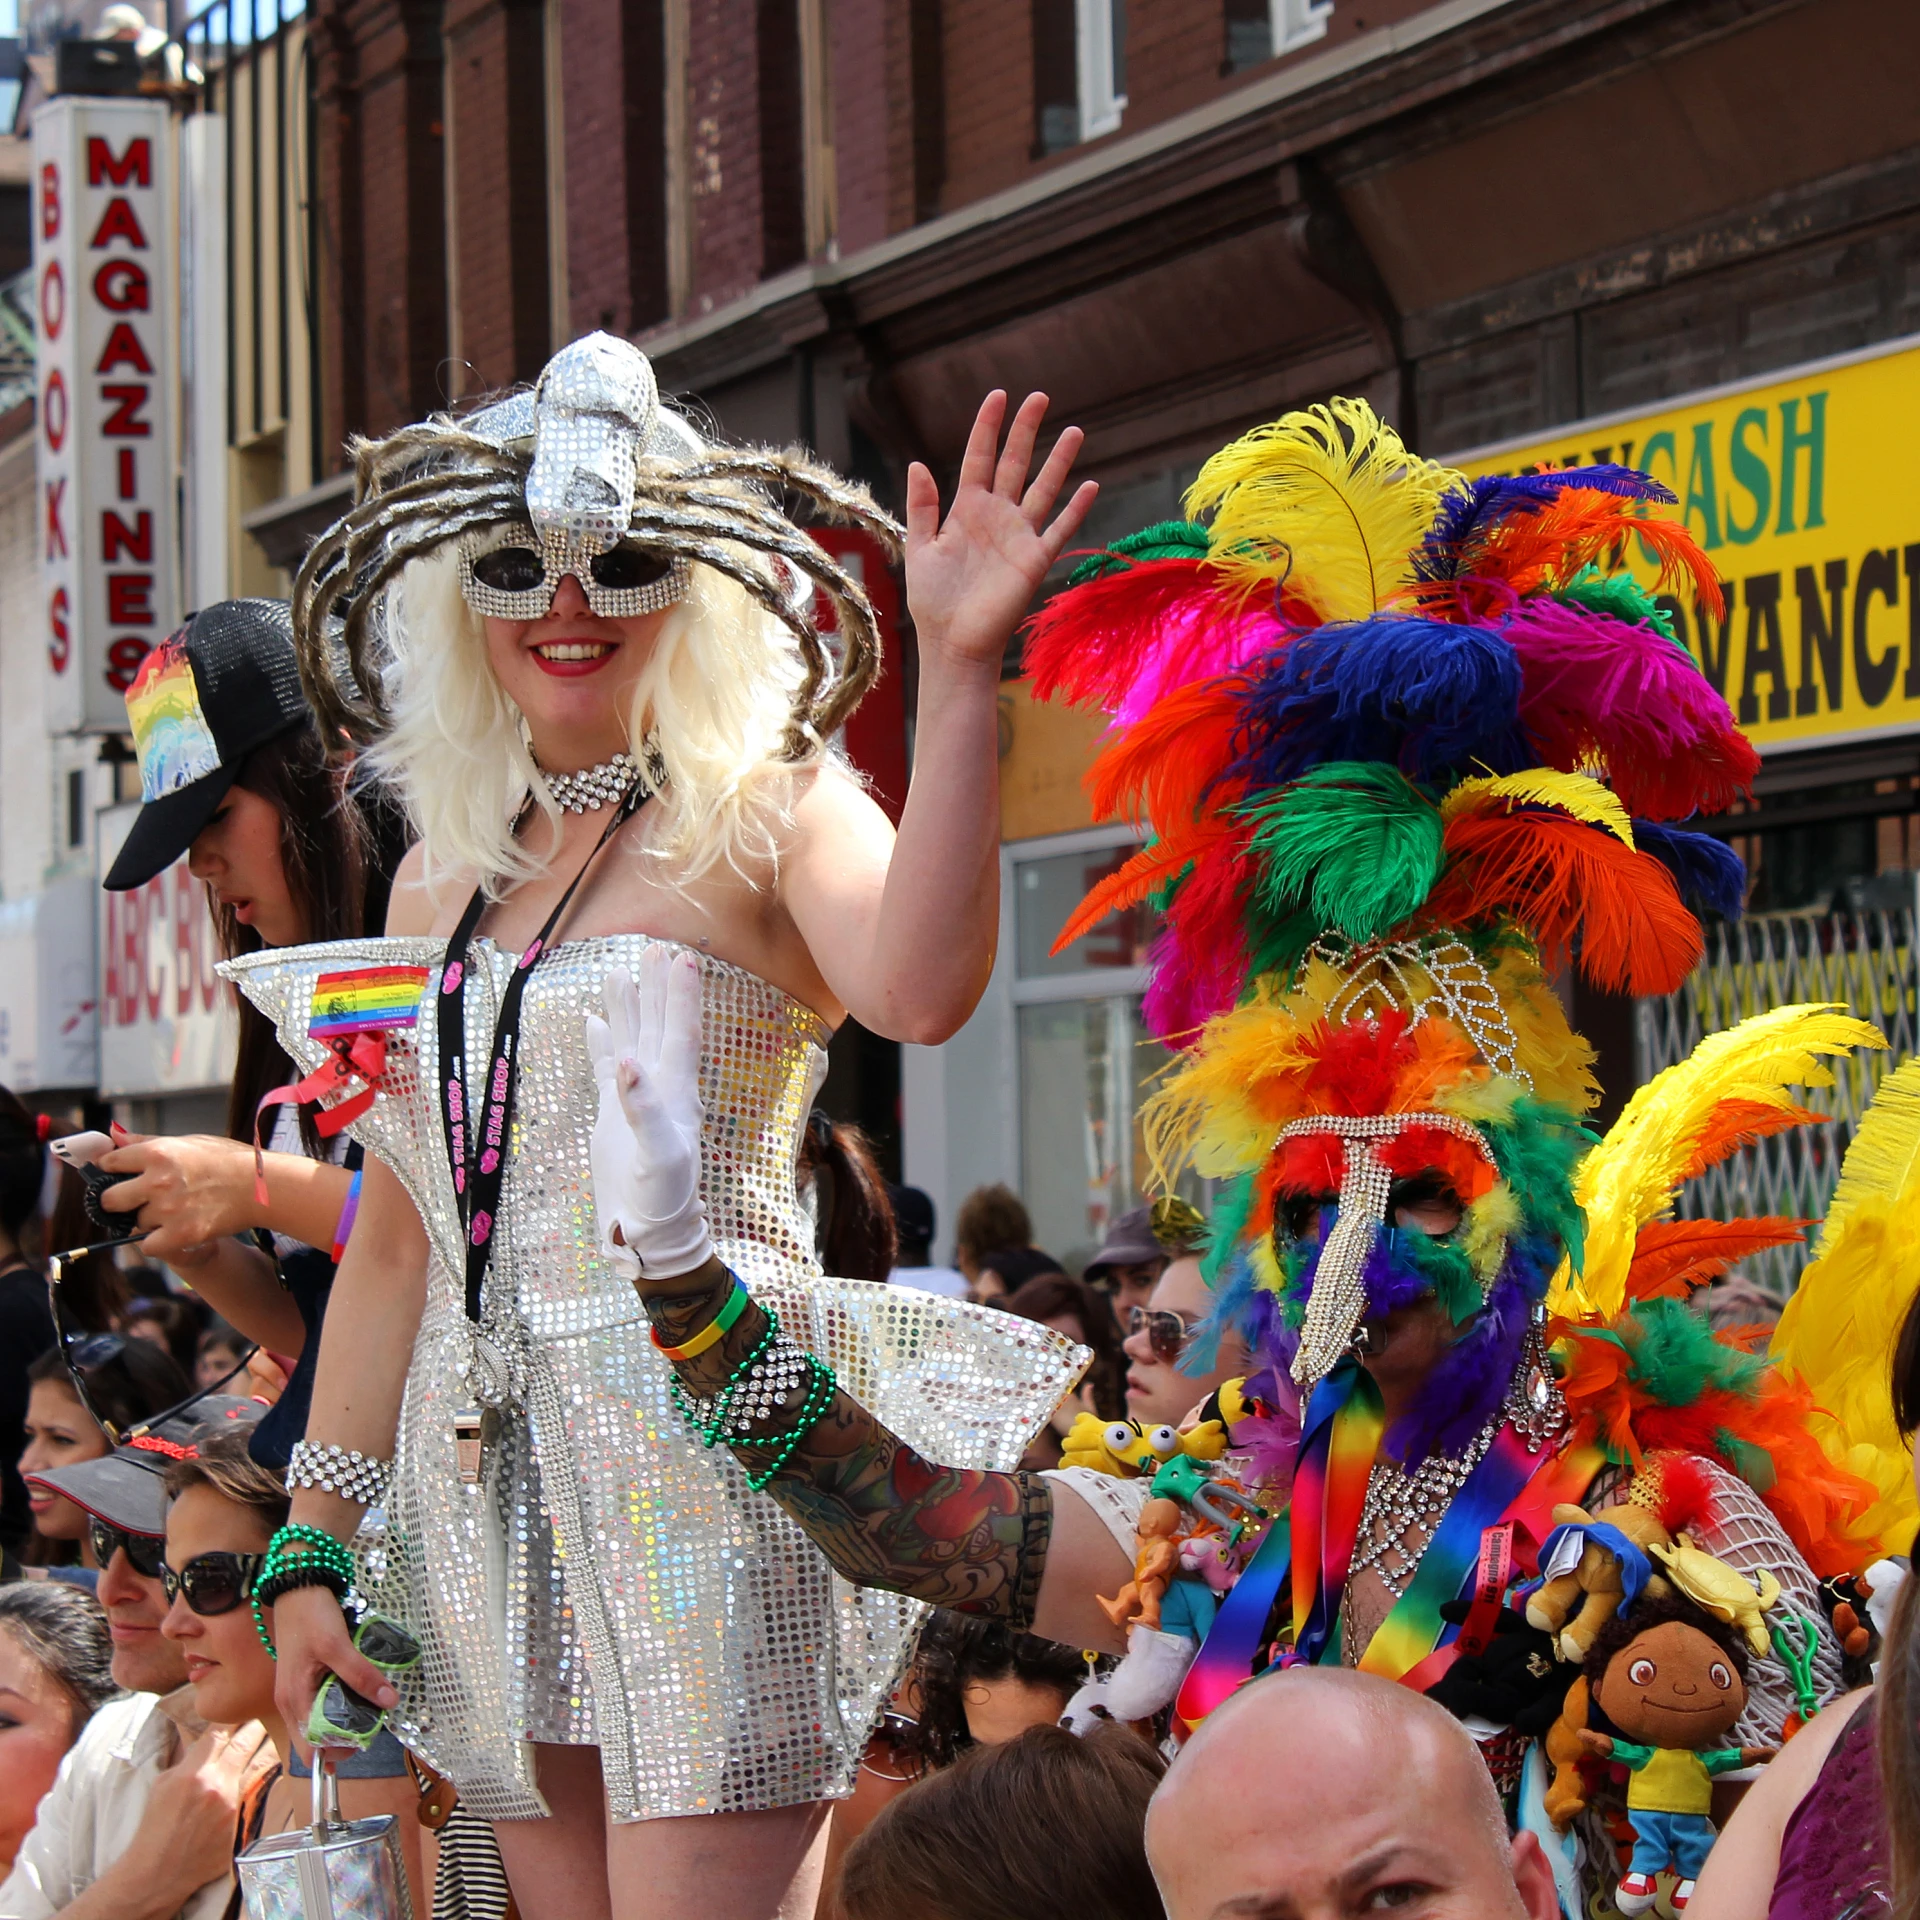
(1633, 1174)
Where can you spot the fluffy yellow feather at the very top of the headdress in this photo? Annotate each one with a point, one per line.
(1333, 483)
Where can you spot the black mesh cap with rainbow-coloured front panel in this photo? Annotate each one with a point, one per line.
(201, 704)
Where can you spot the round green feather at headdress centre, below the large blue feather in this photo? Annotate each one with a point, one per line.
(1355, 840)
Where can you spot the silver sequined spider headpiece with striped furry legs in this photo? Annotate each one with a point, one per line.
(590, 460)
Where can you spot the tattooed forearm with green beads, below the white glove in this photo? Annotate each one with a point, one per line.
(880, 1512)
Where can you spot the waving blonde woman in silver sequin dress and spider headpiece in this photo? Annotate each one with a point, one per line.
(619, 1633)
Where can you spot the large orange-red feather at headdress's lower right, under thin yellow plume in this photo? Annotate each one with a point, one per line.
(1562, 878)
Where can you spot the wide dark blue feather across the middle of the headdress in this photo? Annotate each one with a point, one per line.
(1422, 694)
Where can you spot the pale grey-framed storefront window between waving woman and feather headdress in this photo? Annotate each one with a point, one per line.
(1086, 1057)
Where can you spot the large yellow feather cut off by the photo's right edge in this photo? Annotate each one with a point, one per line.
(1840, 1328)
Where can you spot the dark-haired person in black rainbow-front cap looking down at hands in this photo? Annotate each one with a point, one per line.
(235, 775)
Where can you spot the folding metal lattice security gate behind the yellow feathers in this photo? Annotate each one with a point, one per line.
(1861, 959)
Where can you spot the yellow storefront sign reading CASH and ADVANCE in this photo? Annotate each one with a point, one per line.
(1802, 496)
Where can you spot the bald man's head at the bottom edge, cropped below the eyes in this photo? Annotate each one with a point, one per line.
(1320, 1794)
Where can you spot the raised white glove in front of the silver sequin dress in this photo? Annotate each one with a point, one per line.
(646, 1151)
